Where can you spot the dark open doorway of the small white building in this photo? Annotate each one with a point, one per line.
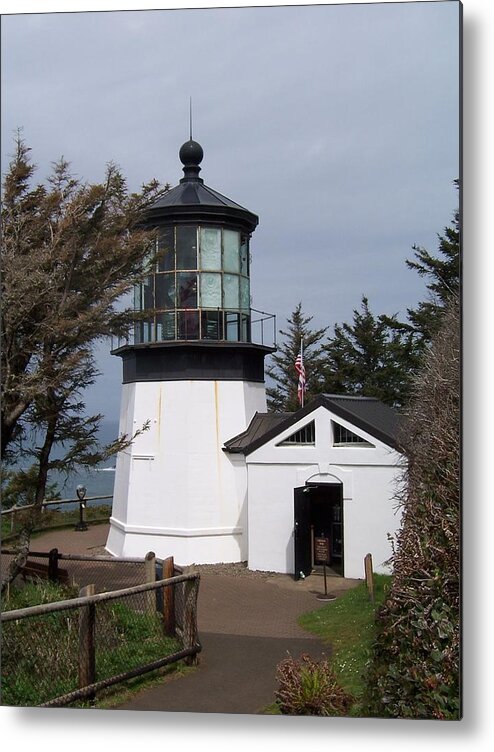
(318, 513)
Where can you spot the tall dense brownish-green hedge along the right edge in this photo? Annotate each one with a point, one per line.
(415, 671)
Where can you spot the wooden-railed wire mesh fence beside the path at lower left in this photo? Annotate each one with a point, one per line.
(77, 642)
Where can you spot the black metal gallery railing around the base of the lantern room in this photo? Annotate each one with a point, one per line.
(256, 327)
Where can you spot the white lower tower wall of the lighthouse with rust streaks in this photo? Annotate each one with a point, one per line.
(176, 492)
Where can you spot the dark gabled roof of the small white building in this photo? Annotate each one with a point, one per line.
(366, 413)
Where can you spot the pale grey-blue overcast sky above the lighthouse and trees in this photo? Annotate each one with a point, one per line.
(338, 125)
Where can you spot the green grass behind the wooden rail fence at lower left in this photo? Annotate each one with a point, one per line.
(40, 655)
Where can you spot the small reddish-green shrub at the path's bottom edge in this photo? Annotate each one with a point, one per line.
(309, 687)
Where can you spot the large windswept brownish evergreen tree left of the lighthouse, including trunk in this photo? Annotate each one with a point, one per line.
(69, 253)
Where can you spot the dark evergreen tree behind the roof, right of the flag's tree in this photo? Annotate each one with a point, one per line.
(368, 357)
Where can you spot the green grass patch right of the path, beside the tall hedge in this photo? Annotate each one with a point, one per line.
(348, 624)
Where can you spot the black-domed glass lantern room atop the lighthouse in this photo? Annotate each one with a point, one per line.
(199, 288)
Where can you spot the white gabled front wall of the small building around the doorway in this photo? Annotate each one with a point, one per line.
(369, 477)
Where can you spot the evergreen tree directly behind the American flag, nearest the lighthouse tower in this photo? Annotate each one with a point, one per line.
(283, 396)
